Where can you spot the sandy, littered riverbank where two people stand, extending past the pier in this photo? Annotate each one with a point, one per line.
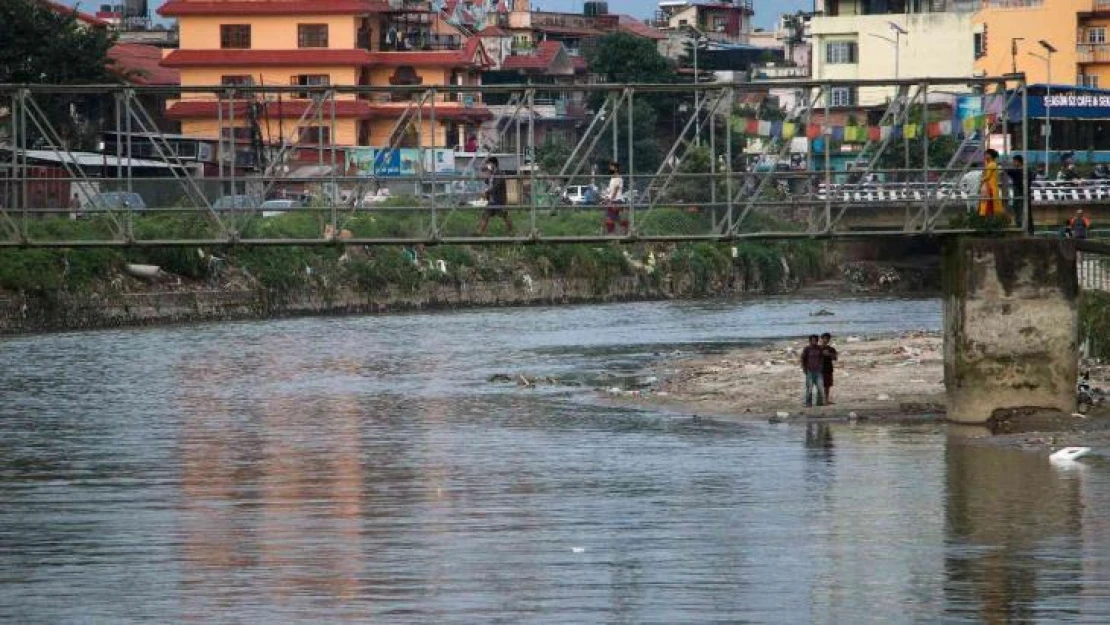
(880, 379)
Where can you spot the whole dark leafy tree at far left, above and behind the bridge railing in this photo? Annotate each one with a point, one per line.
(41, 45)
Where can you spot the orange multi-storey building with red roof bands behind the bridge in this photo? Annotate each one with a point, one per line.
(314, 44)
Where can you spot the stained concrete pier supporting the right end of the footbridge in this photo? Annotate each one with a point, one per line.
(1012, 327)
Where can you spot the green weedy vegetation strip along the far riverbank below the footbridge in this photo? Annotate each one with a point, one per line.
(681, 270)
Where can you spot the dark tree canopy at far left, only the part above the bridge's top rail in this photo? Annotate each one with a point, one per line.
(43, 46)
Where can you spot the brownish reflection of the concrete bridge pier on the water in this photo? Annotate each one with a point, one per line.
(1016, 536)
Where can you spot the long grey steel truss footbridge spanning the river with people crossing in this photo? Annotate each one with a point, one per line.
(701, 187)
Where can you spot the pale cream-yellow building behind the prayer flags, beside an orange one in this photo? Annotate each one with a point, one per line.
(886, 39)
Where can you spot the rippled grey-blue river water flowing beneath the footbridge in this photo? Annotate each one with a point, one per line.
(364, 470)
